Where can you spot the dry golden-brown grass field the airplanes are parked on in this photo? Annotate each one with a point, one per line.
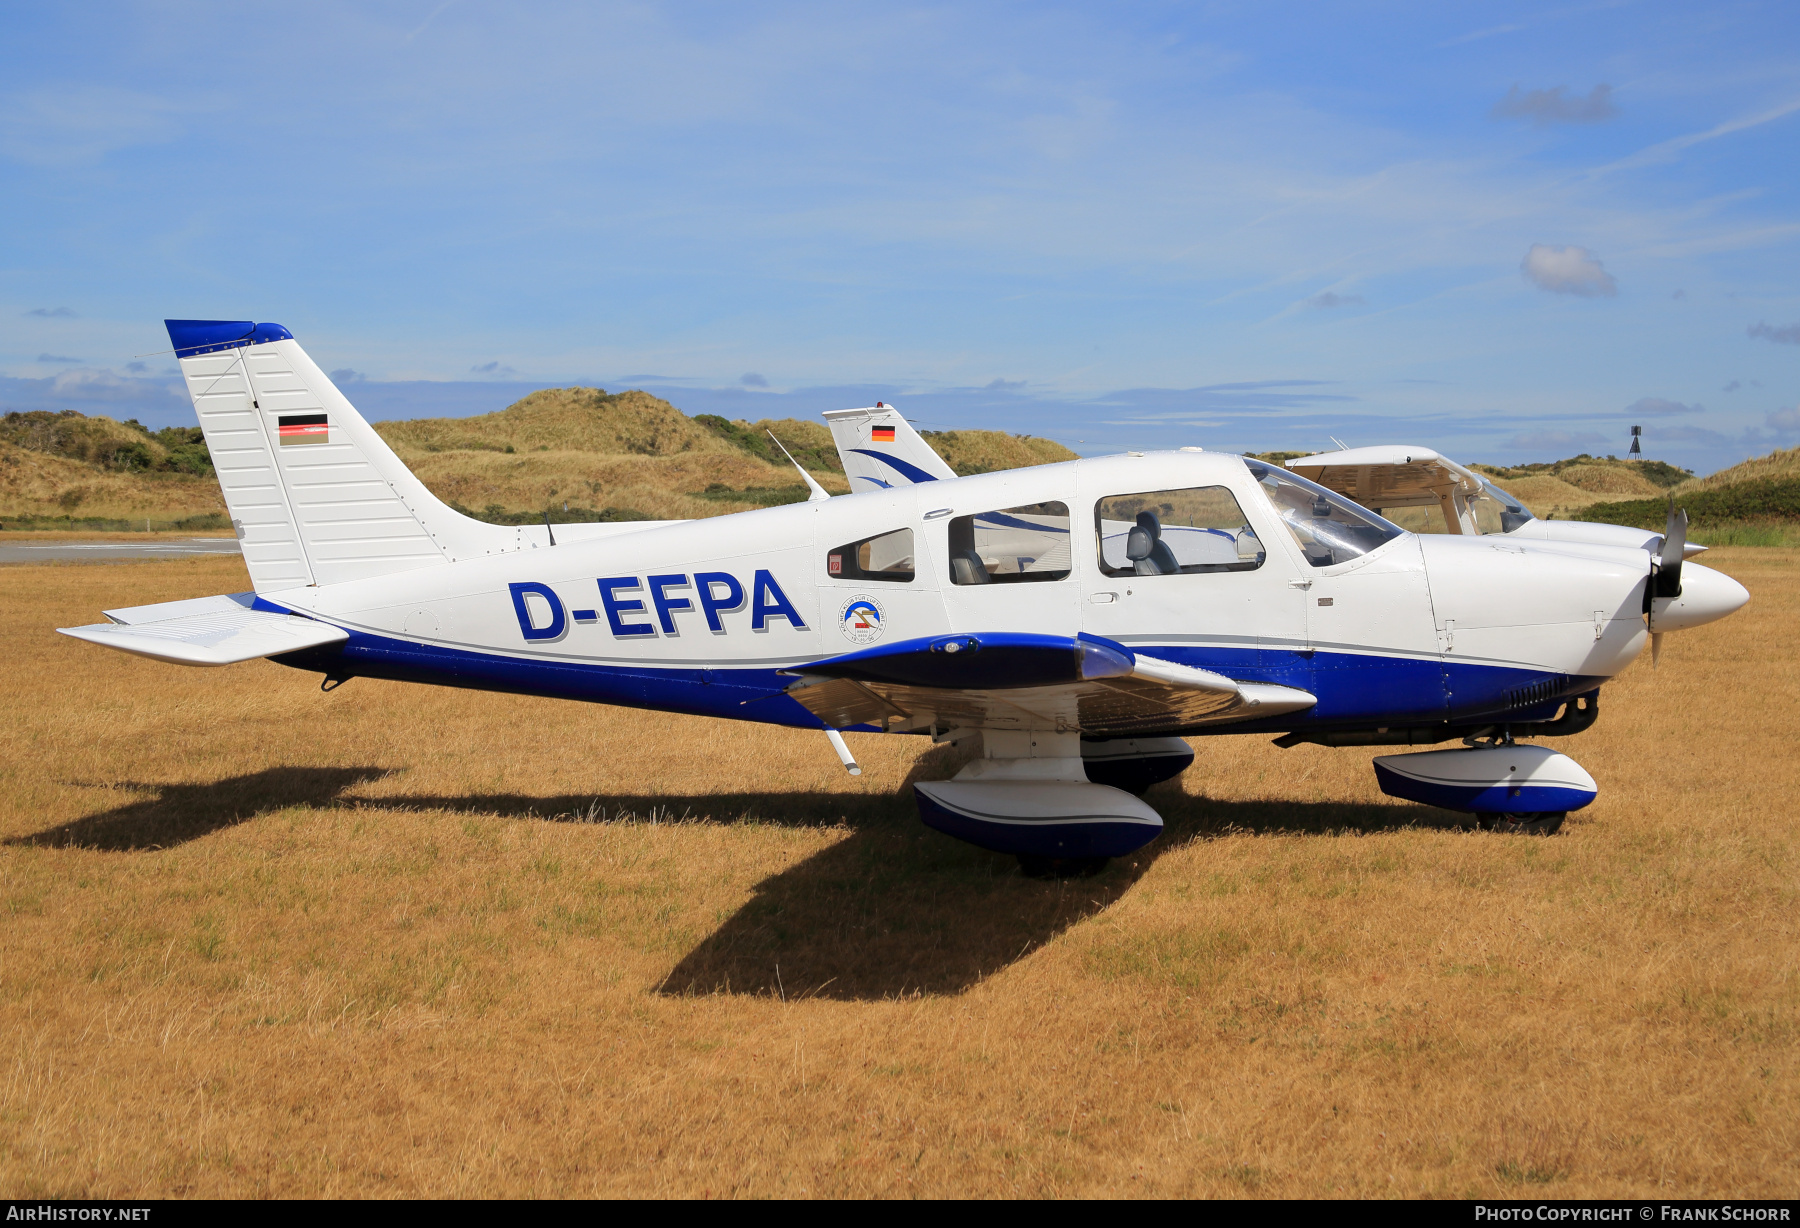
(256, 941)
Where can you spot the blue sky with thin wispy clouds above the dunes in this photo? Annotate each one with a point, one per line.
(1507, 231)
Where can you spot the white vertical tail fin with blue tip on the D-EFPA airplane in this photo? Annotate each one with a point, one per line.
(314, 492)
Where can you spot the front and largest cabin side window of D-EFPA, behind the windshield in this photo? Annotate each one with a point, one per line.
(1174, 534)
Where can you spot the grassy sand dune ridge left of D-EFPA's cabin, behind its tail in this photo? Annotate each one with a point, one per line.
(588, 449)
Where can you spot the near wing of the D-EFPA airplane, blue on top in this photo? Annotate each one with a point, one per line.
(1018, 682)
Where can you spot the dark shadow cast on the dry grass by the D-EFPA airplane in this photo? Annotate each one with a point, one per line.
(894, 910)
